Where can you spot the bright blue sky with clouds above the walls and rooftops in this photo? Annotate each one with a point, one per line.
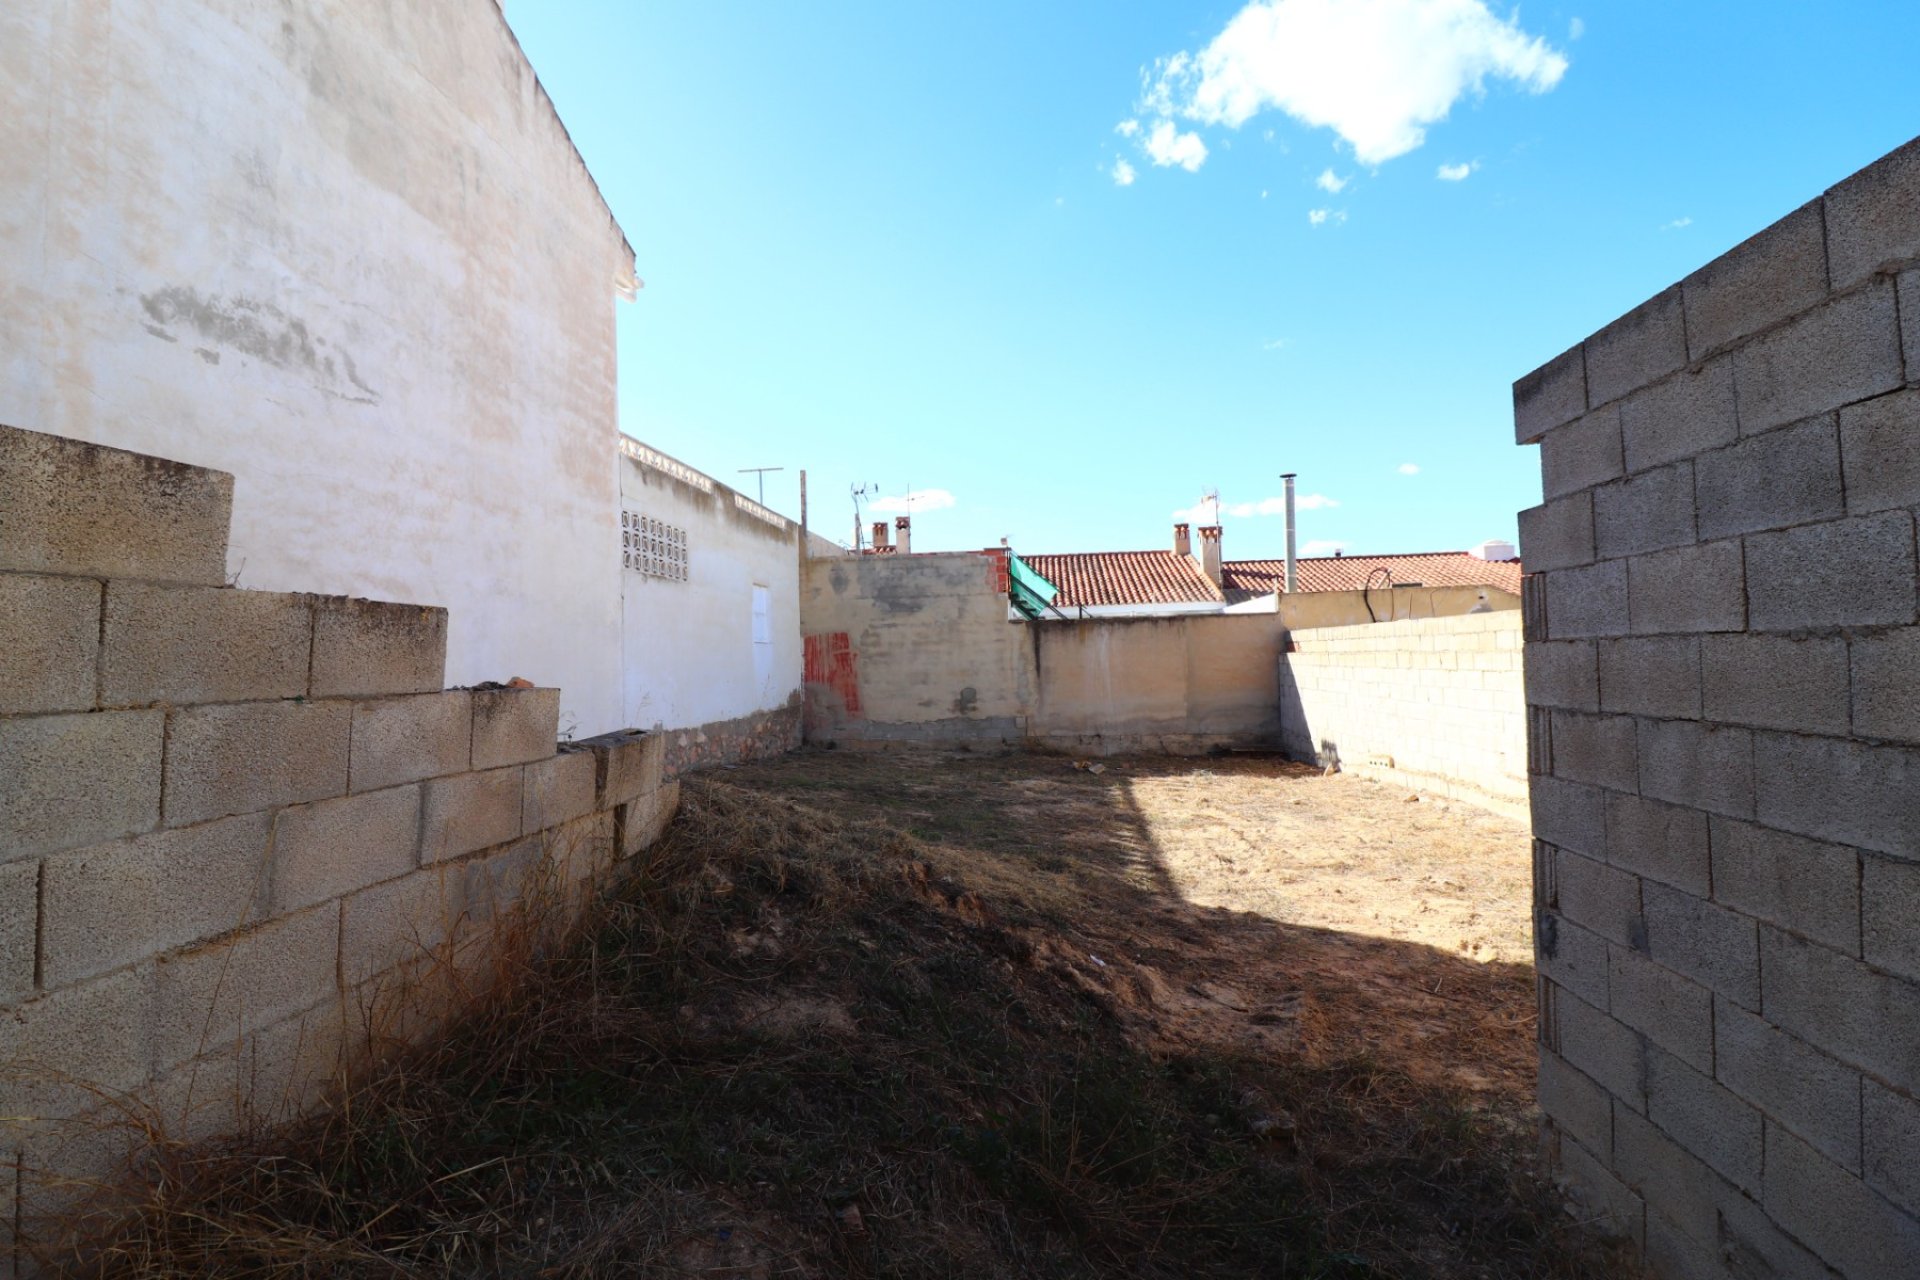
(892, 243)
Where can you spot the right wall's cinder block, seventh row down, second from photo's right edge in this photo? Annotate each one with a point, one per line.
(1790, 882)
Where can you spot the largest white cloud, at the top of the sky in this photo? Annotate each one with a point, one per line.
(1376, 72)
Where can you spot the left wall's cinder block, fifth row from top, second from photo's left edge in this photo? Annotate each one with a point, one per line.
(214, 997)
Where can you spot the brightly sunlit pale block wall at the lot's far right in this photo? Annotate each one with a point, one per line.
(1435, 703)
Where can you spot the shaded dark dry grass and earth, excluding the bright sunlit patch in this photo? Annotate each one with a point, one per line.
(804, 1041)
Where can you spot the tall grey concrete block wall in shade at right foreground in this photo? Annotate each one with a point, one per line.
(1723, 657)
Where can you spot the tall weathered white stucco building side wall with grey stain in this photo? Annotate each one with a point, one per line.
(347, 252)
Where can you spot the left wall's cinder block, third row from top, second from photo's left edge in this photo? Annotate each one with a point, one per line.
(249, 757)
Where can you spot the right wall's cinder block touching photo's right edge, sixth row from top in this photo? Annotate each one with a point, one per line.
(1840, 792)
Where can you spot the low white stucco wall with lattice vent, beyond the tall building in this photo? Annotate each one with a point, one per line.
(690, 642)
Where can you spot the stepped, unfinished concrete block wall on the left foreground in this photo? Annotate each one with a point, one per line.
(245, 836)
